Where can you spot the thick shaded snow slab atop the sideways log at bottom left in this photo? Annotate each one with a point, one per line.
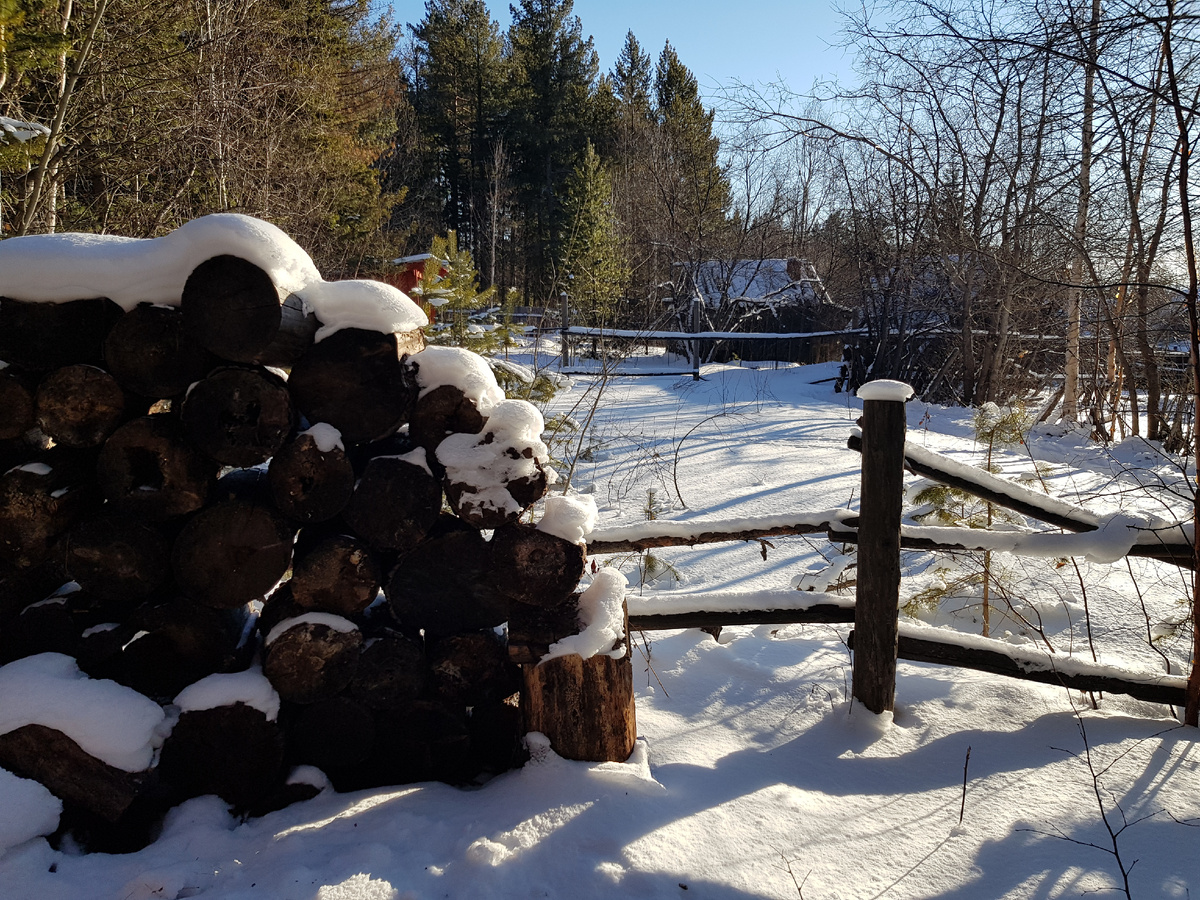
(110, 722)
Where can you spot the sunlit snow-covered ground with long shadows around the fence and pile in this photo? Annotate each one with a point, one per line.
(754, 775)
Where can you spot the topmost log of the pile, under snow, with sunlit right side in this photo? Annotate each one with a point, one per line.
(235, 310)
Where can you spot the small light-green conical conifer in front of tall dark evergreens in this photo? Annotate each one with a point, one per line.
(593, 260)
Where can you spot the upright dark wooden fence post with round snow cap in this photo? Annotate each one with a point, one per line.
(878, 596)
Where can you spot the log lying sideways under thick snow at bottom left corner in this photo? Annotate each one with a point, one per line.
(51, 758)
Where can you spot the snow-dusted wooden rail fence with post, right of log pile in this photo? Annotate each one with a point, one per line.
(879, 639)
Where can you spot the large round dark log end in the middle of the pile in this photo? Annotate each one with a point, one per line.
(232, 553)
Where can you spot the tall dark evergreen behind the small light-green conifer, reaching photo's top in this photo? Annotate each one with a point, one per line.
(554, 83)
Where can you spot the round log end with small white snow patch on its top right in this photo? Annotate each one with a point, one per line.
(311, 484)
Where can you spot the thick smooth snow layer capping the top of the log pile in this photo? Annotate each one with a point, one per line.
(57, 268)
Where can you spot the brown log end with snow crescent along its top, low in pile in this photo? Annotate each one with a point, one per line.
(313, 657)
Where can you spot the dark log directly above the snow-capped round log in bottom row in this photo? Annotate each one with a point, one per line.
(175, 644)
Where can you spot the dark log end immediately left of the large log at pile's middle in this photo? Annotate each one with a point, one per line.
(118, 559)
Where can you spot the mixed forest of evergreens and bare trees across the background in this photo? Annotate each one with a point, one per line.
(1001, 199)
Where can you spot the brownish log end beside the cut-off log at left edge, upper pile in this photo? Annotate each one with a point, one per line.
(80, 406)
